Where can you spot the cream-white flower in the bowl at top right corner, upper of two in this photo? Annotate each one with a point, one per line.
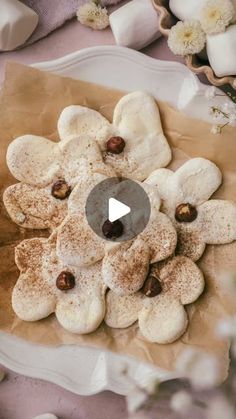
(216, 15)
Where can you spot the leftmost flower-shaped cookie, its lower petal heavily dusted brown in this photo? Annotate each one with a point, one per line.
(47, 172)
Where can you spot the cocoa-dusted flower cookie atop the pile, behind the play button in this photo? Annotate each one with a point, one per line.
(126, 264)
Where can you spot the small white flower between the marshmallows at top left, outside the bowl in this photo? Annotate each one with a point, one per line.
(92, 15)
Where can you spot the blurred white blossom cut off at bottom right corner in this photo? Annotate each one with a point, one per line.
(219, 408)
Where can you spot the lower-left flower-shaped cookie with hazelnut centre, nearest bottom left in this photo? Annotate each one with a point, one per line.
(46, 285)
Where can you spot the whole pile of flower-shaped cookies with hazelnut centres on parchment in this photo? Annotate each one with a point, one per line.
(84, 278)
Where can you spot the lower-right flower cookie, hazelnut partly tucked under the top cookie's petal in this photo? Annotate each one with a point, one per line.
(159, 307)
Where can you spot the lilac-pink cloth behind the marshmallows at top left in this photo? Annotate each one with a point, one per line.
(54, 13)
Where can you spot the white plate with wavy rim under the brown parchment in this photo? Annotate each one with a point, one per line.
(86, 370)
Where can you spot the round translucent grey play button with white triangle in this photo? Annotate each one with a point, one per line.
(118, 209)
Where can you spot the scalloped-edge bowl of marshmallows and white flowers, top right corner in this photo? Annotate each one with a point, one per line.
(204, 33)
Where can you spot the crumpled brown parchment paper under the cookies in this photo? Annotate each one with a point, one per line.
(31, 102)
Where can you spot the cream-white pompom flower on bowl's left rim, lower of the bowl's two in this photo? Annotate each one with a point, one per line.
(186, 38)
